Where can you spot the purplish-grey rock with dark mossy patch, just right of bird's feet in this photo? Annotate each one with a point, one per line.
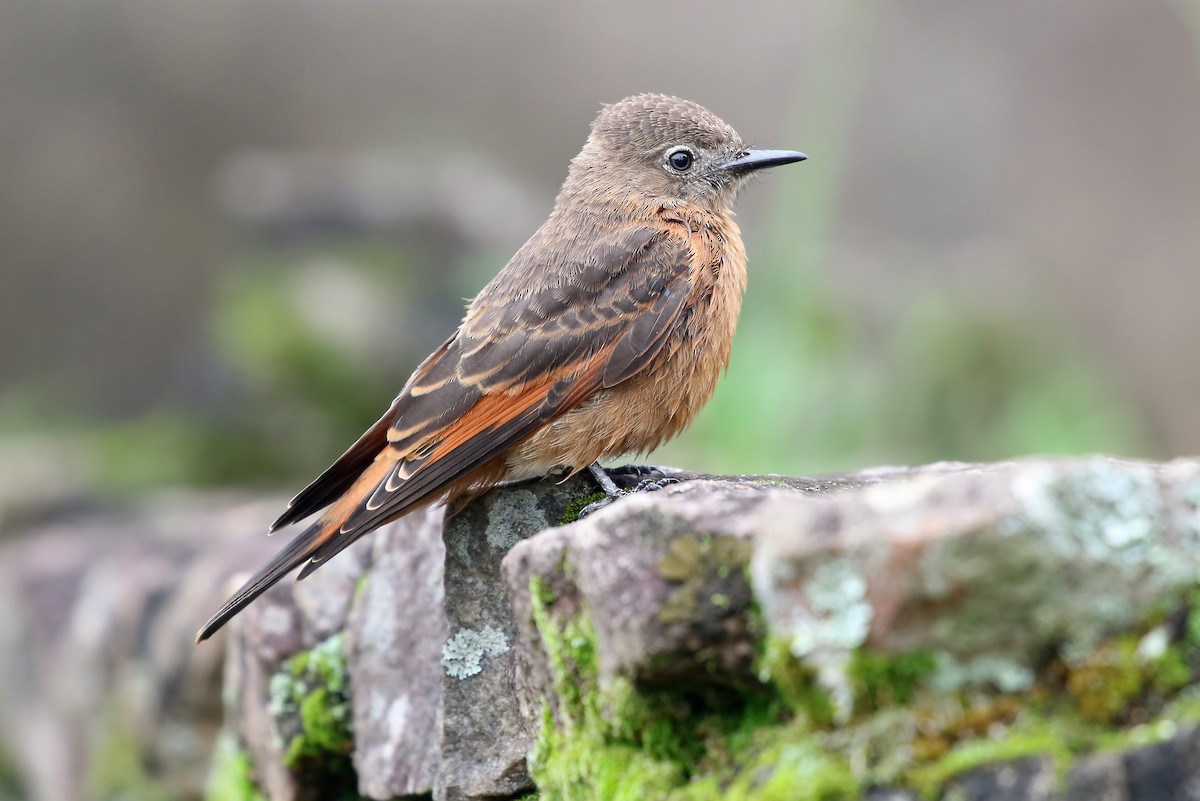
(662, 576)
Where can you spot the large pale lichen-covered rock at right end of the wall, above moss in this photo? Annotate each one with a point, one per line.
(1071, 551)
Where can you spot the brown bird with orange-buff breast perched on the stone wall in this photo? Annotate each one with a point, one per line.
(602, 338)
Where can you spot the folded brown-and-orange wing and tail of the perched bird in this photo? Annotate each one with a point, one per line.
(535, 345)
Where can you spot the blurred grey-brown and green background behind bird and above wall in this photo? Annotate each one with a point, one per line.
(230, 231)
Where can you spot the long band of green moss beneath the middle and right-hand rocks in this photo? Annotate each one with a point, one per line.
(627, 742)
